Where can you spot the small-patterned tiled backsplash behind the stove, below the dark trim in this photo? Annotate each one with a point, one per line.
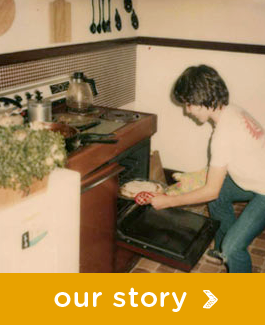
(114, 71)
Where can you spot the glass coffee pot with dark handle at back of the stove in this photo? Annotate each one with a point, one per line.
(79, 96)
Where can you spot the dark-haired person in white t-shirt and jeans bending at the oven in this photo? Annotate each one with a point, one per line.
(237, 166)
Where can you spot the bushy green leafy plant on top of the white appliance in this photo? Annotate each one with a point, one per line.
(27, 155)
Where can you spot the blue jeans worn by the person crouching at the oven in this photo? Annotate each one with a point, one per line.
(236, 234)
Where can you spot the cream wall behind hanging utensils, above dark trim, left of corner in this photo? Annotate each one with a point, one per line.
(30, 29)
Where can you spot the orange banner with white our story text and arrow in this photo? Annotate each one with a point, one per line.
(131, 298)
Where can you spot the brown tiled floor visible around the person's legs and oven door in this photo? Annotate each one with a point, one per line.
(256, 249)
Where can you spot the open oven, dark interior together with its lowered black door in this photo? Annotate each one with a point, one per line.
(174, 236)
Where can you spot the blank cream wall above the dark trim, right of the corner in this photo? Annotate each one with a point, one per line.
(236, 21)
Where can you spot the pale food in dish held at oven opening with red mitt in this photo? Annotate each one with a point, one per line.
(132, 188)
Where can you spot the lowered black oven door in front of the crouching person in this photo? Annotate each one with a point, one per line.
(173, 236)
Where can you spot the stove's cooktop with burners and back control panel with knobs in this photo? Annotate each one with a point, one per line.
(15, 101)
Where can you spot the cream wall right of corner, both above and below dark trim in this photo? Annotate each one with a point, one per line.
(183, 144)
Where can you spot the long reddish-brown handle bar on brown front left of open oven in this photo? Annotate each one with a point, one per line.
(101, 176)
